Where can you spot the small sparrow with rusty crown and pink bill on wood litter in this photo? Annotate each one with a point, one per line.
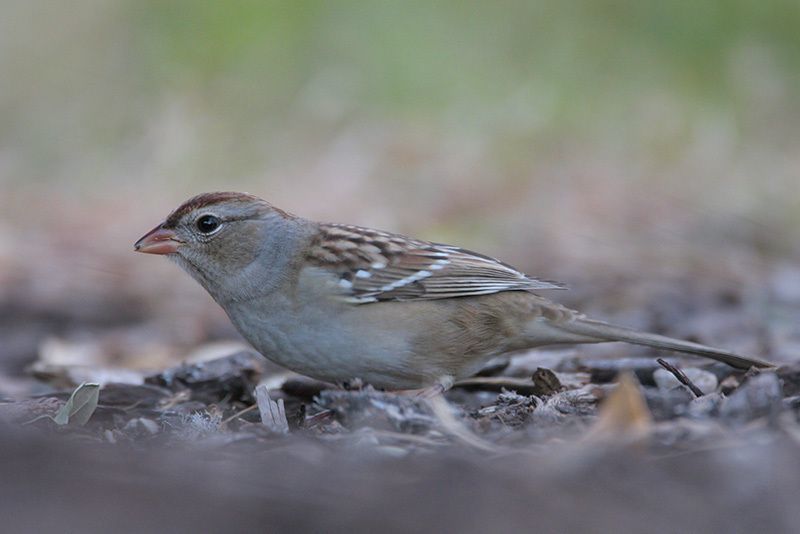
(338, 302)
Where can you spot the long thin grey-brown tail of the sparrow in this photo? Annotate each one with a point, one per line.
(606, 332)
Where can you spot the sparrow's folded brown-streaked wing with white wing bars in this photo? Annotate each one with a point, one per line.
(377, 266)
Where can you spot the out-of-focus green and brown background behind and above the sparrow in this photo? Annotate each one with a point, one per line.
(644, 152)
